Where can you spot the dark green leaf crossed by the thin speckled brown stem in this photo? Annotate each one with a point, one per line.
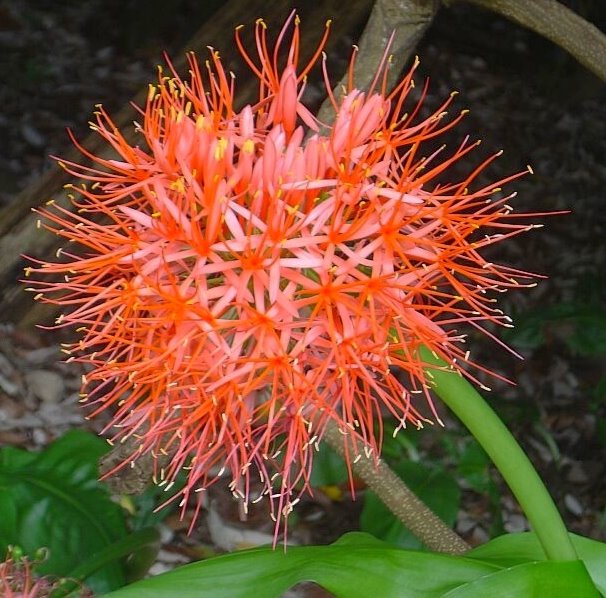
(433, 485)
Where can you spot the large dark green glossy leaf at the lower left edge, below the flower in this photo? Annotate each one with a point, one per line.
(53, 499)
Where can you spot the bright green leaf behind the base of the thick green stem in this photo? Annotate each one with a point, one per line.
(514, 549)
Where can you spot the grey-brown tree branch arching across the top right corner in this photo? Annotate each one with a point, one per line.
(557, 23)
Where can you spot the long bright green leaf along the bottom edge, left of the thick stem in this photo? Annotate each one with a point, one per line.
(356, 567)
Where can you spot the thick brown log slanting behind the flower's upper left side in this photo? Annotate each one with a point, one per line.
(19, 234)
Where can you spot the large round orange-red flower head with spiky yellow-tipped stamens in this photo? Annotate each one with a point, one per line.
(242, 278)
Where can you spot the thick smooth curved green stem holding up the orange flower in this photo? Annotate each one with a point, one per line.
(515, 467)
